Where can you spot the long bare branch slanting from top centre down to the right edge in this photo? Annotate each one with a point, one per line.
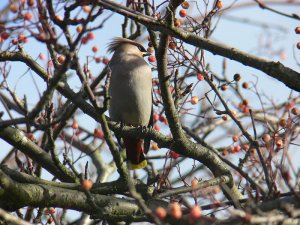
(286, 75)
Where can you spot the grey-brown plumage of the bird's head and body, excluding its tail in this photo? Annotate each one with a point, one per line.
(130, 85)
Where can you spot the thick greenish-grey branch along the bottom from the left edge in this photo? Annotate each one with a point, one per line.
(40, 195)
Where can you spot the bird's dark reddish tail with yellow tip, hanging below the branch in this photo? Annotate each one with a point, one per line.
(135, 153)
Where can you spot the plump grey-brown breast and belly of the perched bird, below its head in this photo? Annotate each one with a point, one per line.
(131, 93)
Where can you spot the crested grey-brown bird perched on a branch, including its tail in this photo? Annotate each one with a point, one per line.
(130, 91)
